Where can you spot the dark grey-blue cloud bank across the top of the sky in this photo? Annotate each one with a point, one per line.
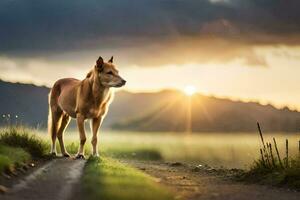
(34, 27)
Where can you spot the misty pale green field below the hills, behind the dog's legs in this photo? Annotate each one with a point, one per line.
(216, 149)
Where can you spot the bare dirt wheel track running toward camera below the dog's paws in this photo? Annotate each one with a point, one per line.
(55, 180)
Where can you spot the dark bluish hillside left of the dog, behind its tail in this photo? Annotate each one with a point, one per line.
(26, 101)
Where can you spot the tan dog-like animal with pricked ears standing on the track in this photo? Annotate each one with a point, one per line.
(86, 99)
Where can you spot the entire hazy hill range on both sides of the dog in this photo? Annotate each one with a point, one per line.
(161, 111)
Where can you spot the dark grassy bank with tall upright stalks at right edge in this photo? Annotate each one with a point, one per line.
(274, 169)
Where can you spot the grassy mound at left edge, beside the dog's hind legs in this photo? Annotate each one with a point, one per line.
(18, 146)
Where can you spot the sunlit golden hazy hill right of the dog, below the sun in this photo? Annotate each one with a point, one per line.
(169, 111)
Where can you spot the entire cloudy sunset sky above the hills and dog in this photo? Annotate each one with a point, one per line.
(240, 49)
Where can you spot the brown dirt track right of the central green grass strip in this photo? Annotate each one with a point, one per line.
(192, 183)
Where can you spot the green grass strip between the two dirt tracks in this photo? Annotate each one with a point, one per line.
(105, 178)
